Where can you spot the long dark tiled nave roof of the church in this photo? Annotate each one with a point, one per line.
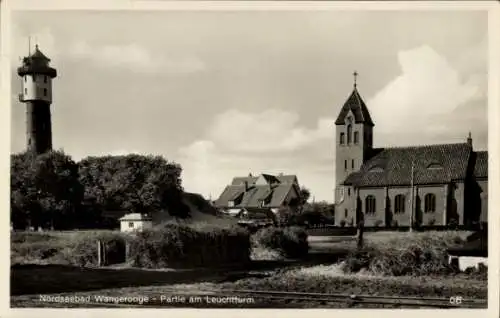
(432, 164)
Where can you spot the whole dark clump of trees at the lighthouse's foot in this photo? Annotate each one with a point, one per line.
(51, 190)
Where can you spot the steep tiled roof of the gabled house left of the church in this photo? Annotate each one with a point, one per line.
(252, 195)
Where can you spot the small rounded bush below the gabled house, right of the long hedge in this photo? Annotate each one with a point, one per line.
(289, 241)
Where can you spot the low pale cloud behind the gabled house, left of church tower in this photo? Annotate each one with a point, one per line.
(237, 143)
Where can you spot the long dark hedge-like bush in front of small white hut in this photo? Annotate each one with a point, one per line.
(189, 245)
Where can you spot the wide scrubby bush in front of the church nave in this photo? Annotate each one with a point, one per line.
(418, 254)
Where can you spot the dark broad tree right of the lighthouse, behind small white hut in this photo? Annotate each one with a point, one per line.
(135, 183)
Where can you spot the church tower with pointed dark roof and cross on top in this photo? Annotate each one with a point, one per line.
(353, 139)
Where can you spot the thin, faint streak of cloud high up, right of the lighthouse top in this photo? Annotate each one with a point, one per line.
(135, 57)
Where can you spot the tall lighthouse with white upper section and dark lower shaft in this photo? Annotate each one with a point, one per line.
(36, 76)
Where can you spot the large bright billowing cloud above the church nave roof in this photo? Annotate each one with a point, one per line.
(427, 94)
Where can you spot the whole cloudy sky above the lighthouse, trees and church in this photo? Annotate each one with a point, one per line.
(226, 94)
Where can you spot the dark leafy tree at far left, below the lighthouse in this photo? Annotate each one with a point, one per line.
(45, 190)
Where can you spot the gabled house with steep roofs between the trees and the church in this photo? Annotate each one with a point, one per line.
(263, 191)
